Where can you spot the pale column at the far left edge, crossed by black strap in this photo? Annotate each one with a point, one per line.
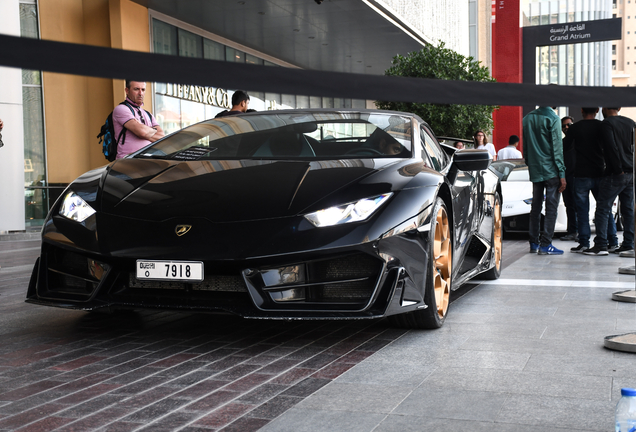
(12, 154)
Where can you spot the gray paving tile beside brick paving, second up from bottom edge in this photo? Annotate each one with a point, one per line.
(350, 397)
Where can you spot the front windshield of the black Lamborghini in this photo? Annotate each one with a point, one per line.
(289, 135)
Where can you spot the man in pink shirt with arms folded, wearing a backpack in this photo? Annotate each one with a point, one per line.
(141, 127)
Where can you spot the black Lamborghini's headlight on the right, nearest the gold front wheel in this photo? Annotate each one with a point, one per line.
(350, 212)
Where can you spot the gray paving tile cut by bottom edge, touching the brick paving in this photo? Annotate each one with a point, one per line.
(316, 420)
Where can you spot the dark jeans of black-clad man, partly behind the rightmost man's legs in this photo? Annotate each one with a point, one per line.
(583, 187)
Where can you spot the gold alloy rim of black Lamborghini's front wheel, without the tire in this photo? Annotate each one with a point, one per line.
(442, 250)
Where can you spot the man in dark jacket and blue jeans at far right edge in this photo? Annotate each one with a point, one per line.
(618, 148)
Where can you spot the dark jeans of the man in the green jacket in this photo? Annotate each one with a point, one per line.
(552, 195)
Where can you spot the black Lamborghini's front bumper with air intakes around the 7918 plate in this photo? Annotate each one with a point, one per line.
(346, 283)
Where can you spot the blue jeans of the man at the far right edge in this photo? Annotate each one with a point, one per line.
(610, 187)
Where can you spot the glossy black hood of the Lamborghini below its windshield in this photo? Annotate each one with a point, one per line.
(233, 190)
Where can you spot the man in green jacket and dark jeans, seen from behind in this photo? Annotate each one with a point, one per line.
(543, 152)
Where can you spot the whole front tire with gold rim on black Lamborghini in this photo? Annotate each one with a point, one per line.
(438, 279)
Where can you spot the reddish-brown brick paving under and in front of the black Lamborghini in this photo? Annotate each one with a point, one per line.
(159, 371)
